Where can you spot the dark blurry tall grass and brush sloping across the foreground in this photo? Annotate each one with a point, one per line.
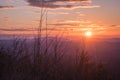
(21, 61)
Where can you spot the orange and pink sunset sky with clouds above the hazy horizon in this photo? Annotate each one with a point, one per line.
(101, 17)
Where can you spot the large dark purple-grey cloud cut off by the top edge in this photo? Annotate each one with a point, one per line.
(61, 3)
